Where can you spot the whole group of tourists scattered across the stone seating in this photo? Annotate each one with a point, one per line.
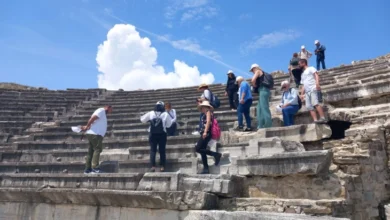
(163, 118)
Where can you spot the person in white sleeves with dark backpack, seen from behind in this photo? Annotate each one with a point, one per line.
(159, 122)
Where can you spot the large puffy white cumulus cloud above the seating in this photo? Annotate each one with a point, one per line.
(128, 61)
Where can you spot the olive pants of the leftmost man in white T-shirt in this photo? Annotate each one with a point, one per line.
(95, 148)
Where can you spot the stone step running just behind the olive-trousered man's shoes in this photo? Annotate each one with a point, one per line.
(138, 166)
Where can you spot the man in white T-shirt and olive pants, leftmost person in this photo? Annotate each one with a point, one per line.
(96, 129)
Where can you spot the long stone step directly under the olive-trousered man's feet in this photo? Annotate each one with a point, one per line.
(224, 185)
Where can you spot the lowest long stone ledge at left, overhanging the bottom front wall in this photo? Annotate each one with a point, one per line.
(172, 200)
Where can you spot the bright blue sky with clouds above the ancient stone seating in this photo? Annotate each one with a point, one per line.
(54, 44)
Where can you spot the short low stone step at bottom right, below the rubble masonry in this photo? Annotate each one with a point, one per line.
(329, 207)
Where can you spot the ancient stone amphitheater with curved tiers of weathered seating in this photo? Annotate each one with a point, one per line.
(306, 171)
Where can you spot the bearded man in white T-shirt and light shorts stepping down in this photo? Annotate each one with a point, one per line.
(311, 90)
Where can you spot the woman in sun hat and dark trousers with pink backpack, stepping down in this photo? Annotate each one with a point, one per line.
(205, 132)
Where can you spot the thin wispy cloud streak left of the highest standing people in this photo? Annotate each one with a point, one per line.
(270, 40)
